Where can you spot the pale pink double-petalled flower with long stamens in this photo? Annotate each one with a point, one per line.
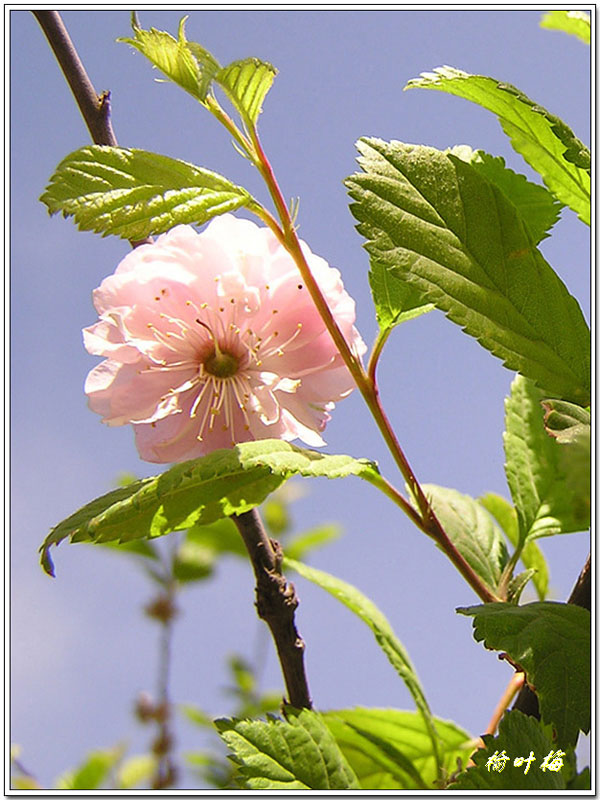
(211, 339)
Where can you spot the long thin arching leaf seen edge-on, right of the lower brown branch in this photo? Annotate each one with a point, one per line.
(385, 637)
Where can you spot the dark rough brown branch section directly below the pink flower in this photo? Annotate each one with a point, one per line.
(276, 603)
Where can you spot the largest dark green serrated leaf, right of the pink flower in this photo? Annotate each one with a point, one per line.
(445, 229)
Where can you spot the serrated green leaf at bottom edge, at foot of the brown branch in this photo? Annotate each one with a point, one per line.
(297, 754)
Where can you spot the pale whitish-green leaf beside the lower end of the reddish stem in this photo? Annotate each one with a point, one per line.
(471, 530)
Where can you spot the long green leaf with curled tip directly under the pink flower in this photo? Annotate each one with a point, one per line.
(200, 491)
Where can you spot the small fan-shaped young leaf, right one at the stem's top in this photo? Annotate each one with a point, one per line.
(246, 83)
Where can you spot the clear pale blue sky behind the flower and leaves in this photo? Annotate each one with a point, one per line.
(81, 647)
